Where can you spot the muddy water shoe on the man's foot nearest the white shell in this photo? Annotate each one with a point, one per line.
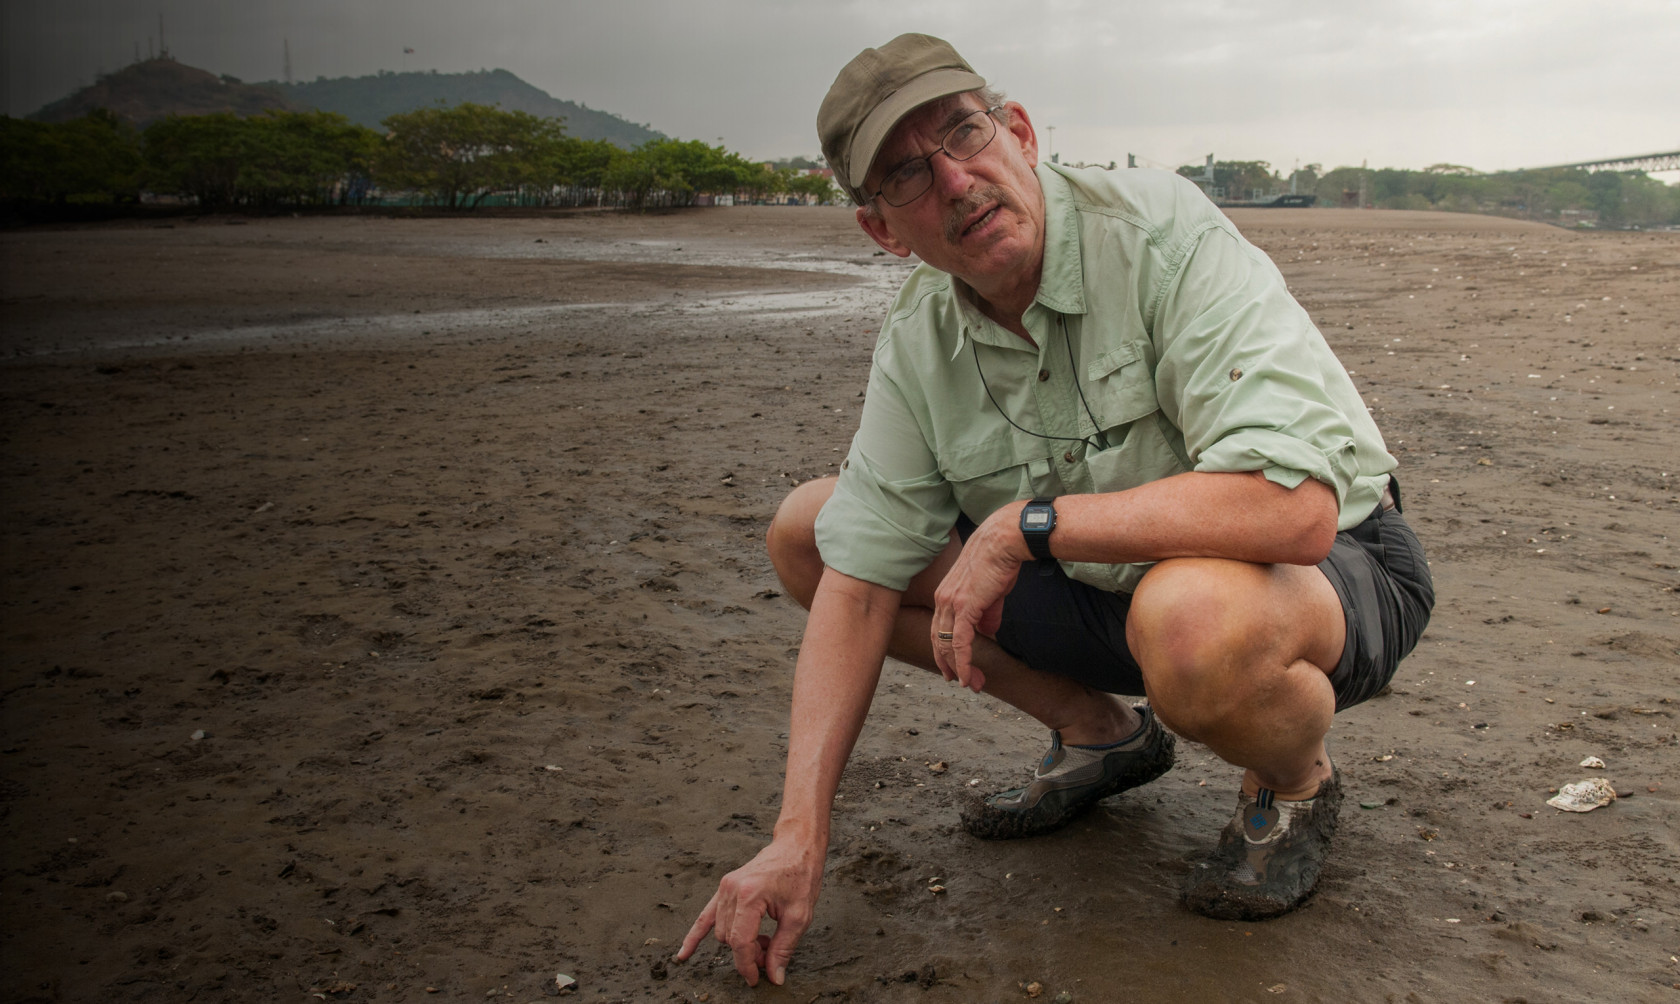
(1269, 855)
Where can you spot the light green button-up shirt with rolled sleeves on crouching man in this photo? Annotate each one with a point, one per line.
(1189, 352)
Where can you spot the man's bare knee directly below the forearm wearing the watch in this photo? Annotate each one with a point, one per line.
(1202, 644)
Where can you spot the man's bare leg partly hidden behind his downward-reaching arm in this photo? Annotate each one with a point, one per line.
(1081, 714)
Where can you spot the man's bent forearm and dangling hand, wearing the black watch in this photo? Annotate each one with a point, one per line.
(1239, 516)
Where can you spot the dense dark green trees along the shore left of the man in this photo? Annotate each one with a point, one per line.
(458, 159)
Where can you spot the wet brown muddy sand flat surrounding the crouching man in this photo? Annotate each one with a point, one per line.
(386, 619)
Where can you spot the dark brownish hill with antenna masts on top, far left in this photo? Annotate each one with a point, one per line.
(147, 92)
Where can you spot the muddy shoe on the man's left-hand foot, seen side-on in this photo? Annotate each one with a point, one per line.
(1071, 780)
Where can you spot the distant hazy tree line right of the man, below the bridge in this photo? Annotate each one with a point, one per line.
(1614, 199)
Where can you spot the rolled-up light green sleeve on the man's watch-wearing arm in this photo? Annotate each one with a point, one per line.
(1246, 375)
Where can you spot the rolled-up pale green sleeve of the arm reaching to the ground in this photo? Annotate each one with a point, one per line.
(891, 513)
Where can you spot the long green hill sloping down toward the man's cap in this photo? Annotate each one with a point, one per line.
(370, 100)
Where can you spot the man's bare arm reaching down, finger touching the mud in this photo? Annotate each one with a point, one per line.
(846, 642)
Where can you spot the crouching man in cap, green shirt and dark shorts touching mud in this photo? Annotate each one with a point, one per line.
(1103, 454)
